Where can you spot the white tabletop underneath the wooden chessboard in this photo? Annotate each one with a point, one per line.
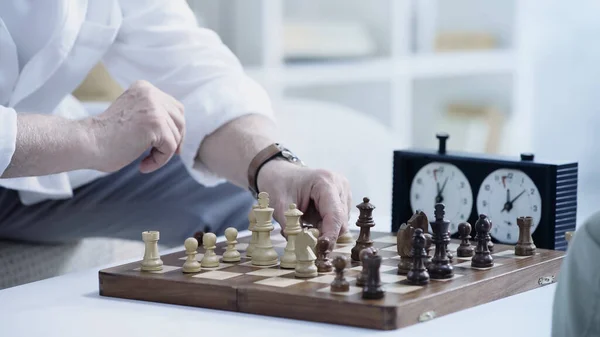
(69, 305)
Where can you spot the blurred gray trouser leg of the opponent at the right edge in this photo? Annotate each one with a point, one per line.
(576, 307)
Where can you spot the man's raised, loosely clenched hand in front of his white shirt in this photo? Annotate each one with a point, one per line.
(142, 118)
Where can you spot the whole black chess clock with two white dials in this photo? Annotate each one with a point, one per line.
(503, 188)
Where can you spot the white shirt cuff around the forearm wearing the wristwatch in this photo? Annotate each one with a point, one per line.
(212, 106)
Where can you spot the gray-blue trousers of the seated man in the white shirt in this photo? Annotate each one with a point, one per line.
(126, 203)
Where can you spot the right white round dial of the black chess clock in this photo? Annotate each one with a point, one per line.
(504, 196)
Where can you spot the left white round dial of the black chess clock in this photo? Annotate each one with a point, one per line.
(444, 183)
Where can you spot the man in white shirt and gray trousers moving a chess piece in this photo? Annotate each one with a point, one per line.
(177, 152)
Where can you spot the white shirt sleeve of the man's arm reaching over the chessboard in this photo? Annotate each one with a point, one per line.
(160, 41)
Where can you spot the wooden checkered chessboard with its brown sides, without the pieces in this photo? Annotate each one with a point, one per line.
(275, 291)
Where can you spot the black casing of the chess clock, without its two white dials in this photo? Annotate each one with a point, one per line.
(556, 182)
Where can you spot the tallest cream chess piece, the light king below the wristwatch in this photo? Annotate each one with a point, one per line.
(264, 254)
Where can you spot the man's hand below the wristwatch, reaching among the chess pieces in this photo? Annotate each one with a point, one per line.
(323, 196)
